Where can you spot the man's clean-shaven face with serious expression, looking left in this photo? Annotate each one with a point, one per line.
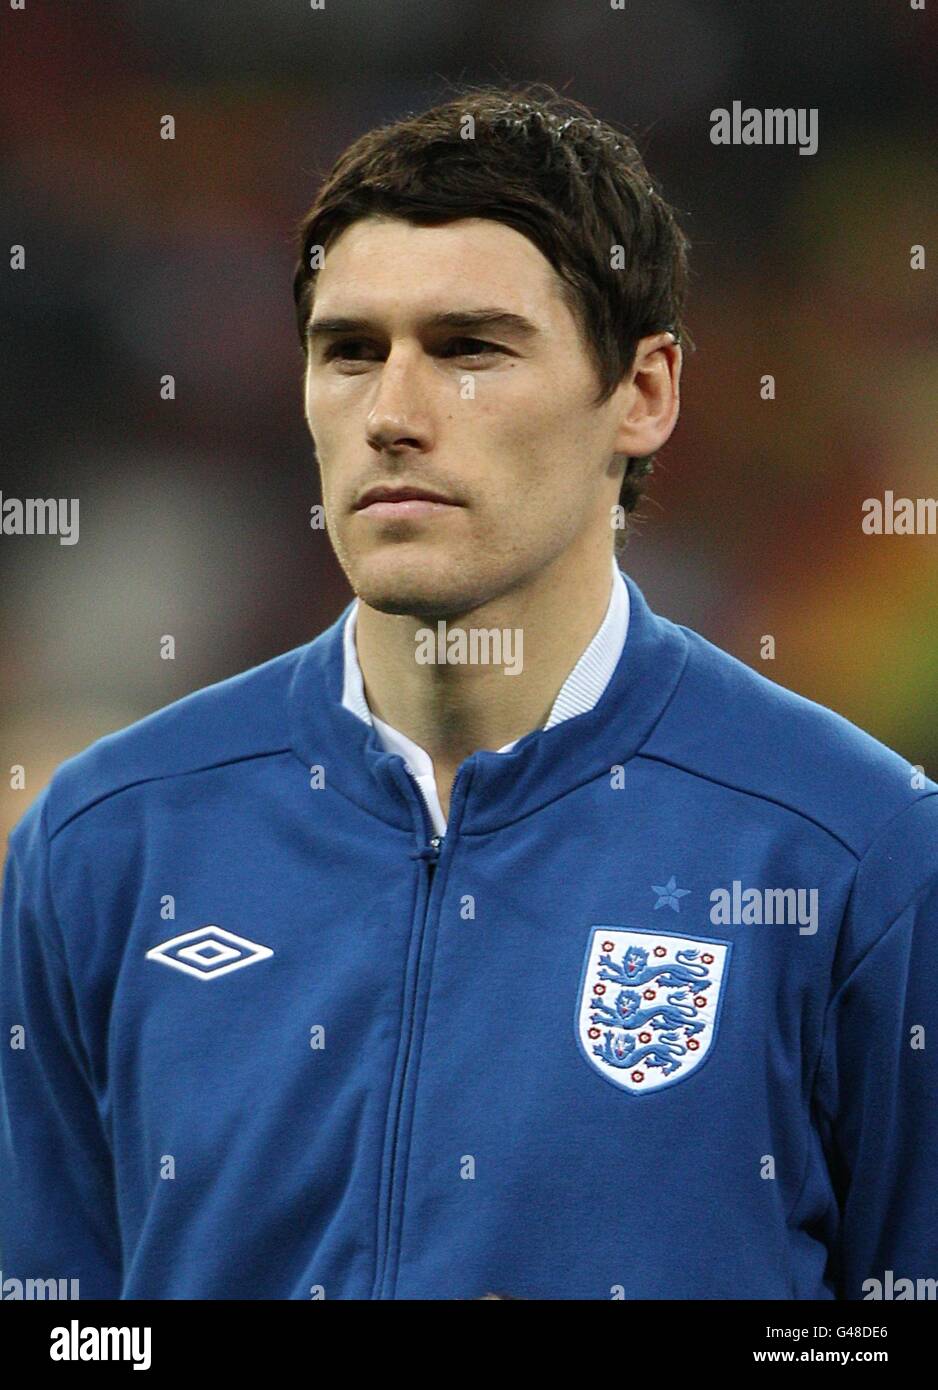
(497, 418)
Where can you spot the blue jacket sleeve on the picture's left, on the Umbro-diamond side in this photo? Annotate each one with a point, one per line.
(58, 1214)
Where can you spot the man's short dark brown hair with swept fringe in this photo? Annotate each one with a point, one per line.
(543, 165)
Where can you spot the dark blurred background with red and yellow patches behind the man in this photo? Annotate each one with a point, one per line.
(148, 256)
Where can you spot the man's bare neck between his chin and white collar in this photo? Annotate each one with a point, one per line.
(456, 708)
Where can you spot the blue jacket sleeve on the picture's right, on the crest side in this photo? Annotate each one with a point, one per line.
(878, 1084)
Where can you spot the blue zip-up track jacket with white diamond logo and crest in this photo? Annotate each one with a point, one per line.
(655, 1020)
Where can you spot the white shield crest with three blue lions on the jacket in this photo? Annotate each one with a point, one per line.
(650, 1006)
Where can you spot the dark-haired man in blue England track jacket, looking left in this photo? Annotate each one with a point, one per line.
(507, 938)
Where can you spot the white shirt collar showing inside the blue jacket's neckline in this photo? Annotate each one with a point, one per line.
(579, 693)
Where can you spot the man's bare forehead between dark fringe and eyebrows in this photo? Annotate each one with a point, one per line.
(383, 262)
